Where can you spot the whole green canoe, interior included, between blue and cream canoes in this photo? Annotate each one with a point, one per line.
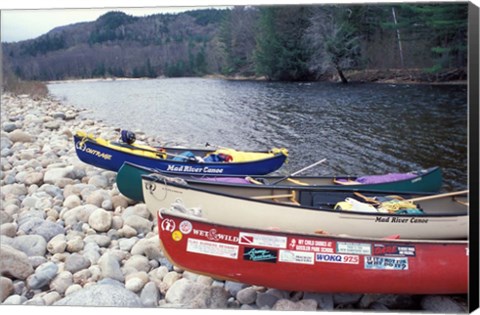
(129, 181)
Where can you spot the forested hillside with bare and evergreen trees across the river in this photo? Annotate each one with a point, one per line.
(275, 42)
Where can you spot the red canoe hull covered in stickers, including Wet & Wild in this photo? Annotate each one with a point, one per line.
(298, 262)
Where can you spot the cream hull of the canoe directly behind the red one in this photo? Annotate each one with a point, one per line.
(235, 210)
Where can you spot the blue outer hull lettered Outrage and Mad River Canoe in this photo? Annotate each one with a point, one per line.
(91, 152)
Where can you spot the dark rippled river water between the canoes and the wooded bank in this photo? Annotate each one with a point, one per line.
(358, 128)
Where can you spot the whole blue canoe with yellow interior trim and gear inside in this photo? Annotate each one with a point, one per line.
(111, 156)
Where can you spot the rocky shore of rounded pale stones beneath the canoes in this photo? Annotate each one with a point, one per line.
(68, 237)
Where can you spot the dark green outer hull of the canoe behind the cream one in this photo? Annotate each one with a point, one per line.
(129, 182)
